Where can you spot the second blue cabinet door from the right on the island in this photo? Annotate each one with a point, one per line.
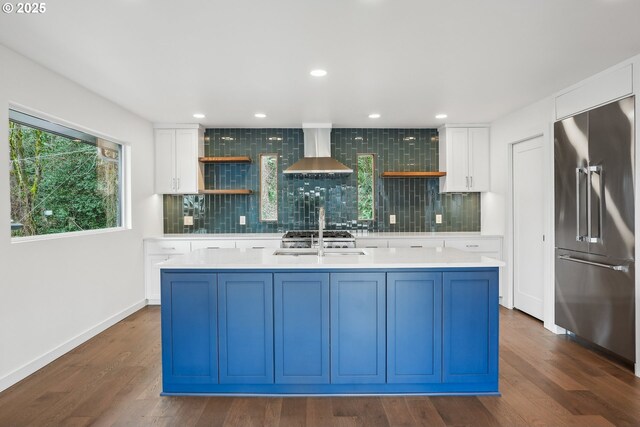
(414, 327)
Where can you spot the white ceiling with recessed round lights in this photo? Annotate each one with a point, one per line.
(405, 59)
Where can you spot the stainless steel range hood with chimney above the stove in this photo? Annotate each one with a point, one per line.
(317, 152)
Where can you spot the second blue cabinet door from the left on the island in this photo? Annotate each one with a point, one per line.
(245, 317)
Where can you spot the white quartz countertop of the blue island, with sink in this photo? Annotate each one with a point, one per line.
(388, 258)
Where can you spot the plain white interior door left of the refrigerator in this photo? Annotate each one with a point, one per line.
(528, 227)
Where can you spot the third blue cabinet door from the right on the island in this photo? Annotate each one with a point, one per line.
(358, 328)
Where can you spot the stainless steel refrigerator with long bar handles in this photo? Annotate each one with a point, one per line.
(594, 222)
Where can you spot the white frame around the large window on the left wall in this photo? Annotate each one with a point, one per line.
(124, 176)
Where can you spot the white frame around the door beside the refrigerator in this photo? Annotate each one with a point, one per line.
(548, 294)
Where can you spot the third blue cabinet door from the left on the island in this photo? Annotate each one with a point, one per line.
(301, 316)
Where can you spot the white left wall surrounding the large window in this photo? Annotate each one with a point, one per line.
(56, 293)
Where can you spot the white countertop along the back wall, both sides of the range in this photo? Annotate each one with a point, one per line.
(369, 235)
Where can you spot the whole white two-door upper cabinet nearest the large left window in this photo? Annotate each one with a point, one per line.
(177, 167)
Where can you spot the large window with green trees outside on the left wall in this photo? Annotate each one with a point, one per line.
(61, 179)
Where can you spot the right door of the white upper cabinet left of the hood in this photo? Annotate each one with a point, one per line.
(186, 161)
